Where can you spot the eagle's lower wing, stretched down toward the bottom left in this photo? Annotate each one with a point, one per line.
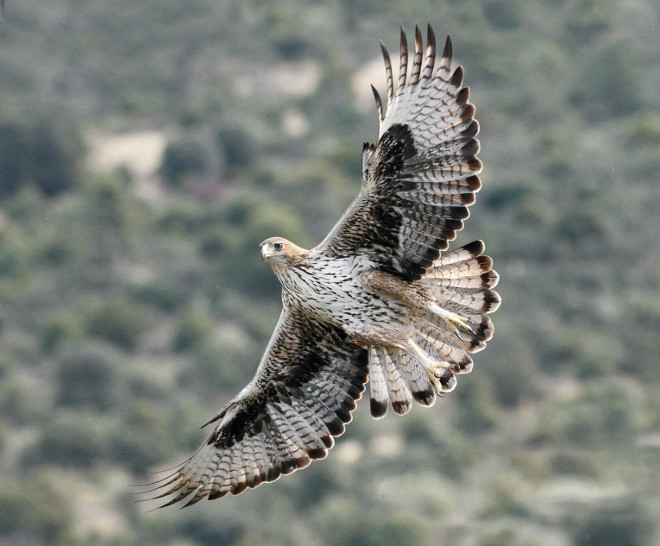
(301, 396)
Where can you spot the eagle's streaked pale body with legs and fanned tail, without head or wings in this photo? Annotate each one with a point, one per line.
(419, 333)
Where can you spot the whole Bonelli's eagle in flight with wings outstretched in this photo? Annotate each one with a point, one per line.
(375, 300)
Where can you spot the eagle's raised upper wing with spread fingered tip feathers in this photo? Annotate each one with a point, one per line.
(418, 180)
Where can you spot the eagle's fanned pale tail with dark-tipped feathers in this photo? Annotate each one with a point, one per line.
(460, 285)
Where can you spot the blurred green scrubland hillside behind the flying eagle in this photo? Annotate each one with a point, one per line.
(146, 148)
